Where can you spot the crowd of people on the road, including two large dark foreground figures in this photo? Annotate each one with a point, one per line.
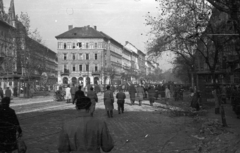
(84, 133)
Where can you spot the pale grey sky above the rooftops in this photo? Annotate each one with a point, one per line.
(123, 20)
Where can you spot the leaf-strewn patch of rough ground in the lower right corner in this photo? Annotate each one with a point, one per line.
(214, 138)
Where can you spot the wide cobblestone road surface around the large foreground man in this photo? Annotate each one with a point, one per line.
(140, 129)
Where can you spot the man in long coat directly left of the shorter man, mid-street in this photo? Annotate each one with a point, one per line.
(108, 101)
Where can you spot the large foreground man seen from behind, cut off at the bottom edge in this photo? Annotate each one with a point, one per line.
(83, 133)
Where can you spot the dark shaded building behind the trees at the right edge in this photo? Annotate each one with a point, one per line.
(223, 74)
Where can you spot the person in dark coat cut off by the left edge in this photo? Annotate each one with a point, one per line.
(9, 127)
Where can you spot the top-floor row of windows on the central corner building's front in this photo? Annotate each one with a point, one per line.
(80, 45)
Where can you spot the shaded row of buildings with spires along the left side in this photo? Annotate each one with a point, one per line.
(19, 55)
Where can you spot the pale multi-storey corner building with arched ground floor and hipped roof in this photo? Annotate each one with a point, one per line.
(87, 56)
